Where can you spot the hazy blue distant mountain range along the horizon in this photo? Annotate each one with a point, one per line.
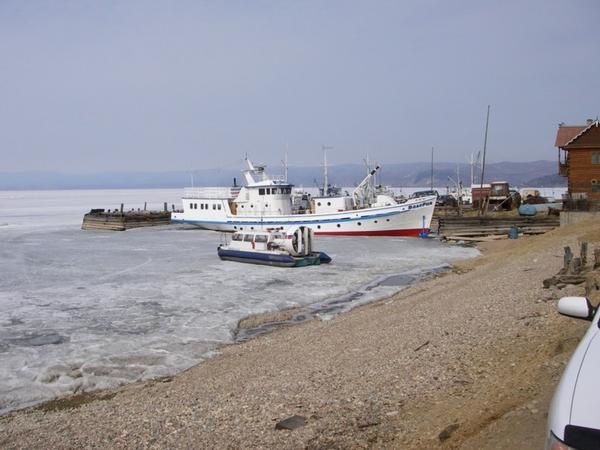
(530, 174)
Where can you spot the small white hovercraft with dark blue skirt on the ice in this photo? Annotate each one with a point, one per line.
(273, 247)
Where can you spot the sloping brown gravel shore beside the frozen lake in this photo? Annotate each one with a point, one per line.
(443, 364)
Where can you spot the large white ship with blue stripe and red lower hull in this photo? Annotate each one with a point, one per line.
(267, 202)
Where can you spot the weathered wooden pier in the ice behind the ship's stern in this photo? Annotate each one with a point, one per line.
(119, 220)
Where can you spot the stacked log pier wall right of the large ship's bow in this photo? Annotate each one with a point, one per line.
(482, 226)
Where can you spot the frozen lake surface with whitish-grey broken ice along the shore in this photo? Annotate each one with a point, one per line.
(83, 310)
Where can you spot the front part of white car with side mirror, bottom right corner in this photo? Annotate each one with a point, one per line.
(574, 416)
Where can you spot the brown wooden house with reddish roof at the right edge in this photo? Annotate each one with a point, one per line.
(579, 160)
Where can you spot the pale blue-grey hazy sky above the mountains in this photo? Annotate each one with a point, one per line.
(88, 86)
